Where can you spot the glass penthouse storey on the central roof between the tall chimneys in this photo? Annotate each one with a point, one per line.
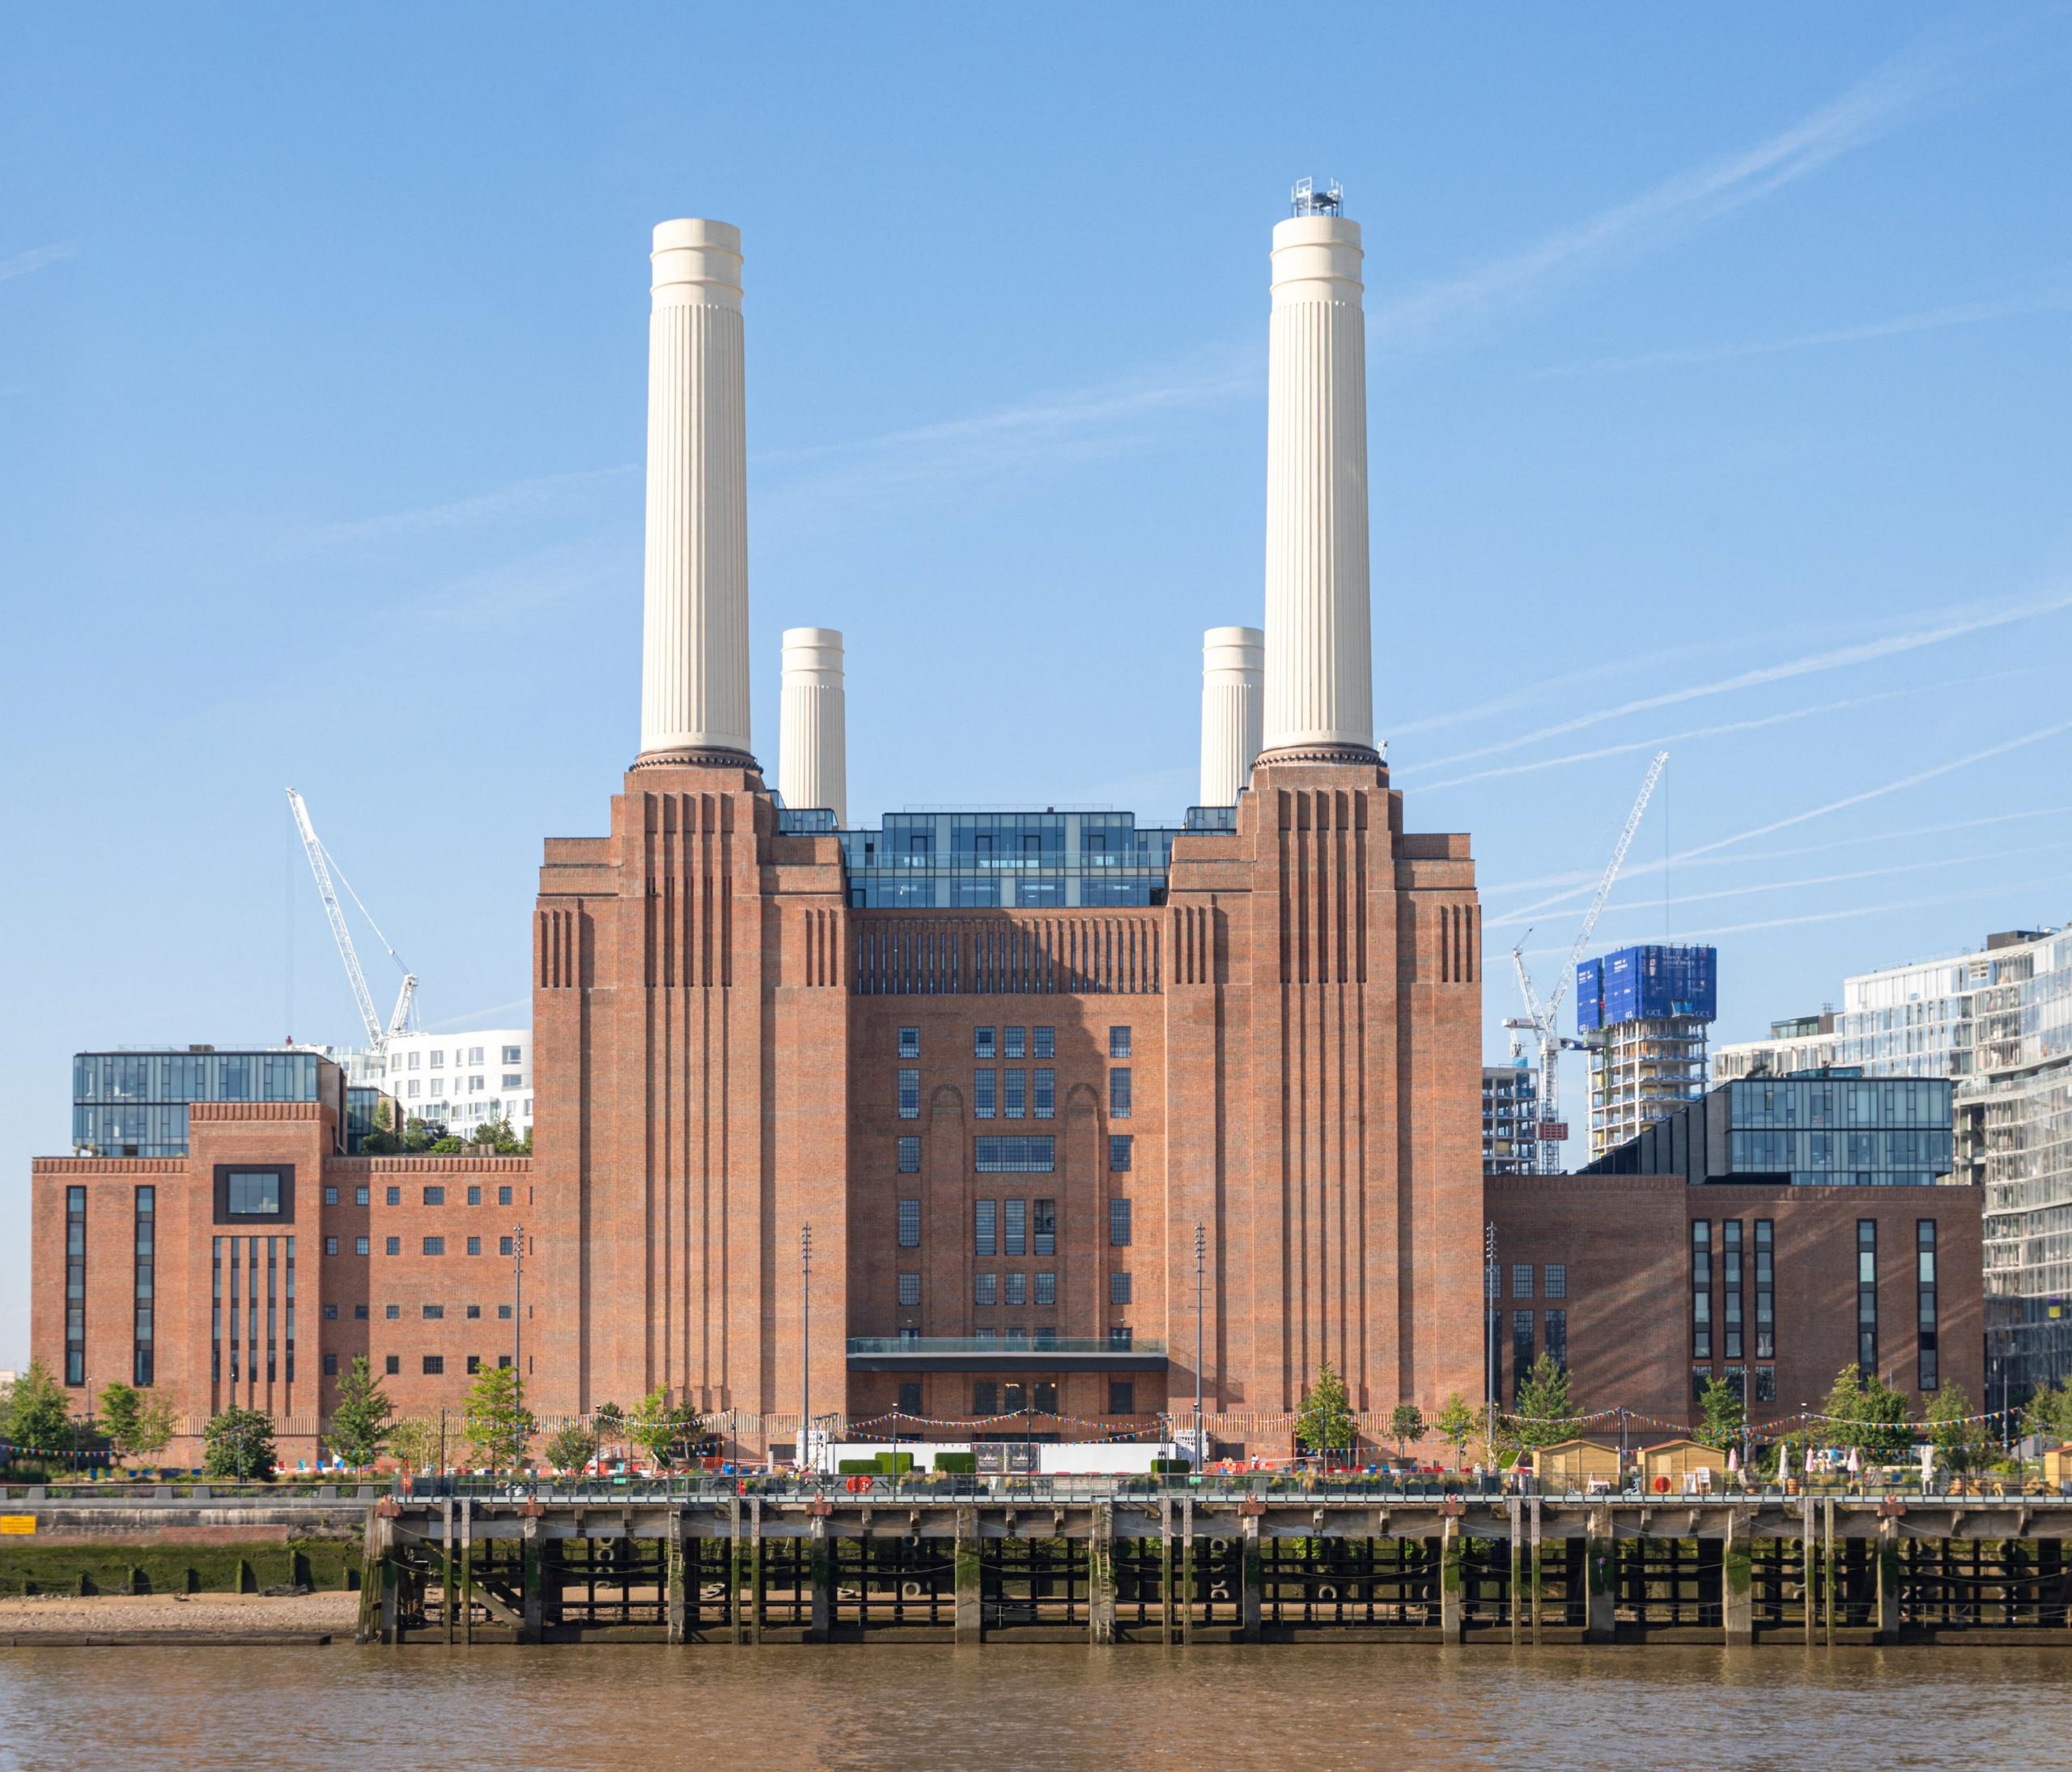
(985, 859)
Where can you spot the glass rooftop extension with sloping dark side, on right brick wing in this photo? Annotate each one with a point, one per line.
(1833, 1131)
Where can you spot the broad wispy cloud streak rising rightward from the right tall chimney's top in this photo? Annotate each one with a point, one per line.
(1630, 231)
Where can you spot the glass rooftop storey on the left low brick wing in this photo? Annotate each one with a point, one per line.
(134, 1104)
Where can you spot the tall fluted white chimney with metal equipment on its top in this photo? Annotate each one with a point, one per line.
(1319, 664)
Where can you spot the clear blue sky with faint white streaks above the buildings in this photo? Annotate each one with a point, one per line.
(1719, 387)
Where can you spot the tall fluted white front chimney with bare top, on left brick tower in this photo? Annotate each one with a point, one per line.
(695, 641)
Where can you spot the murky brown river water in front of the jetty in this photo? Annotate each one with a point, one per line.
(936, 1711)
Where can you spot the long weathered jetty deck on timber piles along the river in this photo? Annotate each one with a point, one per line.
(1147, 1562)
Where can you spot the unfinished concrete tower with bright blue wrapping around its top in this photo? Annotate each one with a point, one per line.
(1644, 1014)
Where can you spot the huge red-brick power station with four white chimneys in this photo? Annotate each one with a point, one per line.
(1081, 1122)
